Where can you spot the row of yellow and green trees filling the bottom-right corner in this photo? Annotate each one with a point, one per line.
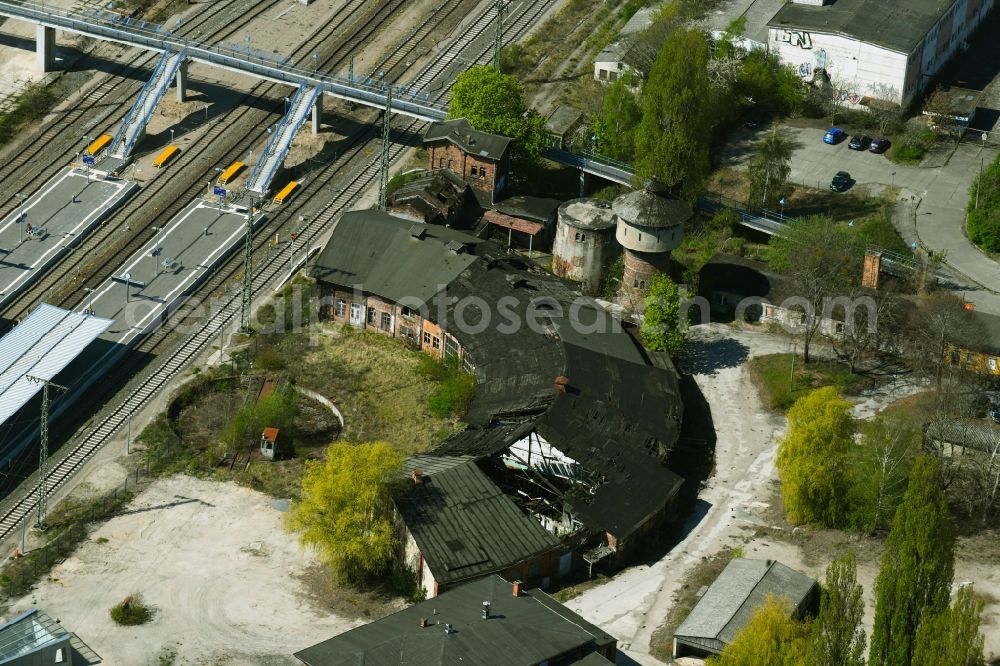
(914, 622)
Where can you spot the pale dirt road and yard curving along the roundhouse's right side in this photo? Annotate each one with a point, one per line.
(739, 506)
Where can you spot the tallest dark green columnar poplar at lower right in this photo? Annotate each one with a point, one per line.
(917, 567)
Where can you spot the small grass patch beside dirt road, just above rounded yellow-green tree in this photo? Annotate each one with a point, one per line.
(780, 388)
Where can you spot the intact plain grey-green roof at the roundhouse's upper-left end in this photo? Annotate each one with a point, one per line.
(379, 253)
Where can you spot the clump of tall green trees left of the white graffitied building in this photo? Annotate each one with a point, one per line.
(693, 87)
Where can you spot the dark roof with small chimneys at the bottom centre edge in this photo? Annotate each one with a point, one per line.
(522, 631)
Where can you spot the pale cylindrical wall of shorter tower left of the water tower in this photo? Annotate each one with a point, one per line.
(583, 256)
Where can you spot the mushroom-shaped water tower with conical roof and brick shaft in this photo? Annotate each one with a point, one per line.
(650, 226)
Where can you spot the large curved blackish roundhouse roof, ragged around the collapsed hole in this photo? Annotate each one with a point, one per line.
(620, 418)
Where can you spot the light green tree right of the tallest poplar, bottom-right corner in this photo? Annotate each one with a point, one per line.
(953, 637)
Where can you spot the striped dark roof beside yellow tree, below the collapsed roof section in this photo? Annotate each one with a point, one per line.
(465, 526)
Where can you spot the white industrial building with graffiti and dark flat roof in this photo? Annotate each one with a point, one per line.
(881, 49)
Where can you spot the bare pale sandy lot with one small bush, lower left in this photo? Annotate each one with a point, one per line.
(215, 563)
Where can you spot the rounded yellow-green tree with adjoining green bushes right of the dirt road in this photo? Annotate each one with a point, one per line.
(841, 473)
